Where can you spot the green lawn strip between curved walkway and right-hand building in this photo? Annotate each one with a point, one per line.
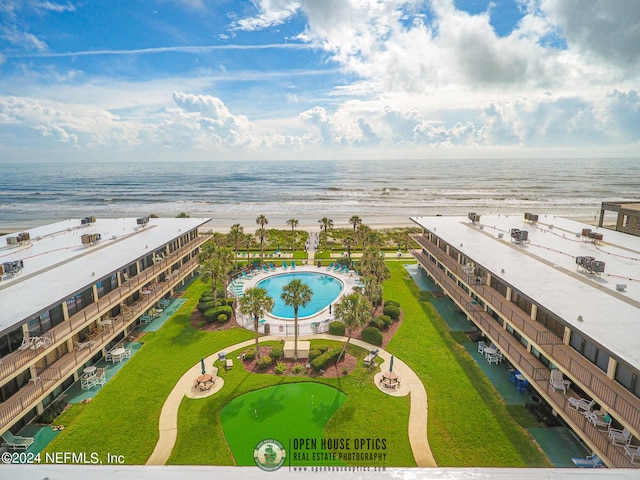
(468, 424)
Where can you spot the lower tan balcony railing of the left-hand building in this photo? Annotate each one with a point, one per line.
(29, 395)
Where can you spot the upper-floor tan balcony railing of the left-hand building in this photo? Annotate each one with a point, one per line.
(18, 359)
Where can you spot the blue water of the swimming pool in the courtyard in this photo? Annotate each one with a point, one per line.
(325, 290)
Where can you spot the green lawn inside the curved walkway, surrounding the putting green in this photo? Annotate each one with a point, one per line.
(366, 412)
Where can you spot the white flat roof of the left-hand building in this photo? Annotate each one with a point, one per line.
(57, 264)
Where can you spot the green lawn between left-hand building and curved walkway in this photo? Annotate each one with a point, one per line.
(123, 418)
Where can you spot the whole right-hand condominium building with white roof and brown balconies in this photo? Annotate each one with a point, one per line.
(551, 294)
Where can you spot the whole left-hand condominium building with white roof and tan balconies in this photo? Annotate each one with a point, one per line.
(71, 290)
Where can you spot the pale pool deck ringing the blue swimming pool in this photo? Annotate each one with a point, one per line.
(317, 323)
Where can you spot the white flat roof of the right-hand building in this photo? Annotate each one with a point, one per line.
(545, 270)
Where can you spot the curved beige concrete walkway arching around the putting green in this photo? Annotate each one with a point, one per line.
(417, 428)
